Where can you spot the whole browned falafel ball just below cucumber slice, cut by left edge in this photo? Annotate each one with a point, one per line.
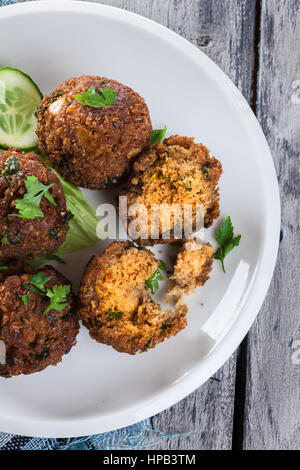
(19, 236)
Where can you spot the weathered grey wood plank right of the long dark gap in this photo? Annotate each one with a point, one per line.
(273, 388)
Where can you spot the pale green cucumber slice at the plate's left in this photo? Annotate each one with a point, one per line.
(19, 99)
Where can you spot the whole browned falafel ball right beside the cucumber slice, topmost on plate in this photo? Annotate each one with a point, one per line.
(93, 147)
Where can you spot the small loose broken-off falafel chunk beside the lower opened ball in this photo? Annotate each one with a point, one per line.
(192, 268)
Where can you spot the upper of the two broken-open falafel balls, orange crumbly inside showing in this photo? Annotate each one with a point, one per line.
(176, 172)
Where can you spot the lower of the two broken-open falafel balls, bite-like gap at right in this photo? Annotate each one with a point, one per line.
(115, 304)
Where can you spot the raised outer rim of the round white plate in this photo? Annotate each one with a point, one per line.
(261, 280)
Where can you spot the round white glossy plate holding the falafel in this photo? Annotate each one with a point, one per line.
(96, 389)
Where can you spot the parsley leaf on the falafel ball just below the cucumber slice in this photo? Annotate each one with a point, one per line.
(29, 206)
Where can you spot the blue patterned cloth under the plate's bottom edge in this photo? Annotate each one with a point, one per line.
(142, 434)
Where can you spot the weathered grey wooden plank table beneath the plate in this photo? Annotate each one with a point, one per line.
(253, 402)
